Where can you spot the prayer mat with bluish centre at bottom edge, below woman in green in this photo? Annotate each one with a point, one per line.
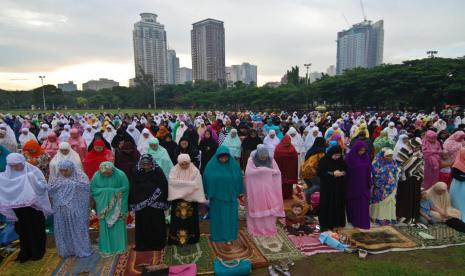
(95, 264)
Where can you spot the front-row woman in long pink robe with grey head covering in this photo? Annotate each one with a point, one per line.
(264, 195)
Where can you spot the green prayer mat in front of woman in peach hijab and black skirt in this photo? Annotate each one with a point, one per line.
(201, 254)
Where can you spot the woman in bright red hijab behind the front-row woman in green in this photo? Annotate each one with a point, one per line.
(95, 157)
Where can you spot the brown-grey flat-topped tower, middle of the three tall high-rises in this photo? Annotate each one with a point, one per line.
(208, 52)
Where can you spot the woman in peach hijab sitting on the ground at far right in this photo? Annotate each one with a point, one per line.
(441, 209)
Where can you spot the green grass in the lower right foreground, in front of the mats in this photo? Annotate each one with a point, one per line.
(447, 261)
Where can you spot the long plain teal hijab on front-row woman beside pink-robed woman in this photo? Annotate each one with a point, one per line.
(223, 181)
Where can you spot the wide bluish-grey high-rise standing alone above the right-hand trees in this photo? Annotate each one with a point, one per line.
(360, 46)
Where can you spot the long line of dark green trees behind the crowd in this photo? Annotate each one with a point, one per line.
(415, 84)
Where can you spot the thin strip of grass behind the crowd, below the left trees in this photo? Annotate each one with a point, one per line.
(95, 111)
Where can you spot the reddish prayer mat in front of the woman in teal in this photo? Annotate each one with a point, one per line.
(250, 250)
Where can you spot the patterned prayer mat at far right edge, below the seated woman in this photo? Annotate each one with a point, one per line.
(442, 235)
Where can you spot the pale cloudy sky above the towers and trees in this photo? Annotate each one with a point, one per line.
(90, 39)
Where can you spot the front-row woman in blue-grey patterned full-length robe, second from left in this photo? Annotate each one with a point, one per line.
(70, 194)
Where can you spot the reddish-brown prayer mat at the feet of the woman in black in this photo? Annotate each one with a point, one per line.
(133, 262)
